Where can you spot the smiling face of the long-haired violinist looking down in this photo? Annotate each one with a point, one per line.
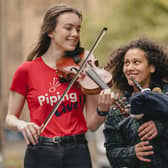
(66, 34)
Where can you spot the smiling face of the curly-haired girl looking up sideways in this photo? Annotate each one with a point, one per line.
(136, 65)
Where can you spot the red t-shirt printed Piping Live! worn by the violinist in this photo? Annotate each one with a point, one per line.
(40, 85)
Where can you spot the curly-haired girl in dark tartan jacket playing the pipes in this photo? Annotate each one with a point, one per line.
(137, 144)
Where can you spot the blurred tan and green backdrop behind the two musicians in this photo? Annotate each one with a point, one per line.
(20, 22)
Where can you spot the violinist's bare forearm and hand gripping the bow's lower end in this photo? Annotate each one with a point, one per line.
(29, 130)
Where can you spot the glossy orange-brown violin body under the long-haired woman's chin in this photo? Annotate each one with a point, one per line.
(88, 81)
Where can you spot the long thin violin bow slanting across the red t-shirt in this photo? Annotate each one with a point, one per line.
(47, 120)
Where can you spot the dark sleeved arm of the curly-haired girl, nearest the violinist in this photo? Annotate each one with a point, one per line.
(120, 151)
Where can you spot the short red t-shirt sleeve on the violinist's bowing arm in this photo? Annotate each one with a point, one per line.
(20, 80)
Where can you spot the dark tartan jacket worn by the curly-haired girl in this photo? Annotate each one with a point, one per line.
(120, 140)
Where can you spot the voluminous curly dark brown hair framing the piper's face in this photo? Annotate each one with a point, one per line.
(156, 54)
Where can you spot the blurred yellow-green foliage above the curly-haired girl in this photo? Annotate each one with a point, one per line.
(127, 20)
